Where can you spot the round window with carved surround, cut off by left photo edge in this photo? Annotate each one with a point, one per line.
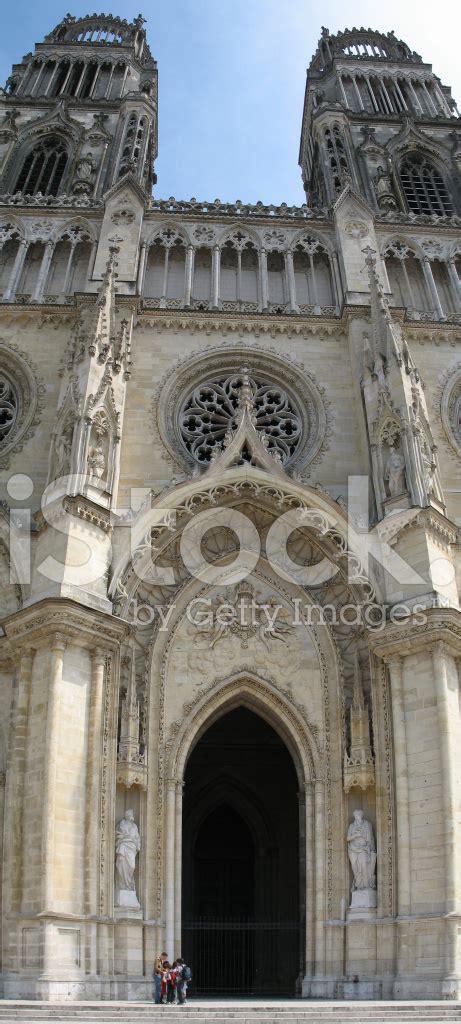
(22, 401)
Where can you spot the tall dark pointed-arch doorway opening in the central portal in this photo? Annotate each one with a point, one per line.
(241, 910)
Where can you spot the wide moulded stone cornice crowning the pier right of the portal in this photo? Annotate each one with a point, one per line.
(413, 635)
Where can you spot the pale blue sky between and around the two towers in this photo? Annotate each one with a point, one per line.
(232, 77)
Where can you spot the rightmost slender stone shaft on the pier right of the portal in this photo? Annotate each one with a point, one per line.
(449, 759)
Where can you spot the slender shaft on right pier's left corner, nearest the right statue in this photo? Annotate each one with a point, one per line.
(402, 792)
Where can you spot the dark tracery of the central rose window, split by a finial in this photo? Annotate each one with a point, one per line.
(211, 410)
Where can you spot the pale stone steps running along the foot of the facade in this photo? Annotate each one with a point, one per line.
(231, 1012)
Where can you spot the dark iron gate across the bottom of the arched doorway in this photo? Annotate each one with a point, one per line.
(242, 957)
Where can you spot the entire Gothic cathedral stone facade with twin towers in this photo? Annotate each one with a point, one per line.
(231, 718)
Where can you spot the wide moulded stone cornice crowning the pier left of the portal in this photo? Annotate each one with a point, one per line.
(40, 623)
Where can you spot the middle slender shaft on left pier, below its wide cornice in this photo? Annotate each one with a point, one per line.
(51, 770)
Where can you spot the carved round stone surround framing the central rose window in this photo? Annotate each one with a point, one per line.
(302, 396)
